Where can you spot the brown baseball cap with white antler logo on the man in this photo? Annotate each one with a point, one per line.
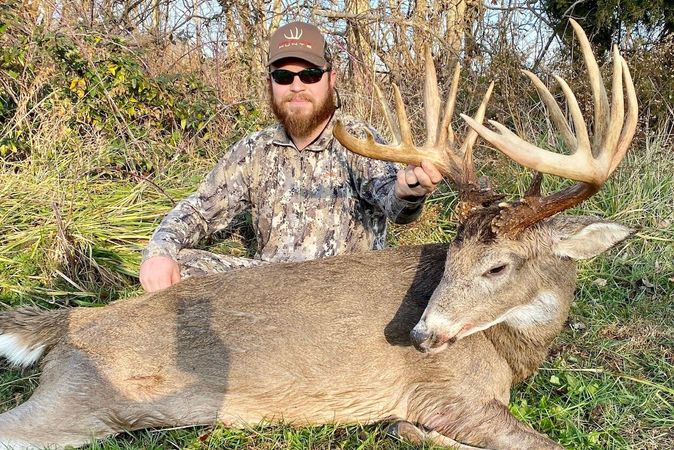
(298, 40)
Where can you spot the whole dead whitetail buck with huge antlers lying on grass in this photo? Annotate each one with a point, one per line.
(332, 341)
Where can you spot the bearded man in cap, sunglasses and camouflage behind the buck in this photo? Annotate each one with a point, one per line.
(309, 197)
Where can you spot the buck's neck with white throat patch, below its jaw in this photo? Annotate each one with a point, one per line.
(524, 338)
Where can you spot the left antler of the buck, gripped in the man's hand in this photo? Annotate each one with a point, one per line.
(440, 148)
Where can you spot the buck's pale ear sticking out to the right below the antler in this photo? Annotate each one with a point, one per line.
(585, 237)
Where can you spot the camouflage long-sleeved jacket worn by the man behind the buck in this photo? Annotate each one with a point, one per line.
(321, 201)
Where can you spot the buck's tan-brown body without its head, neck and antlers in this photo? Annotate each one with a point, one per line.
(305, 343)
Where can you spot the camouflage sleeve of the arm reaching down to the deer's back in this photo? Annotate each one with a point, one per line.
(220, 197)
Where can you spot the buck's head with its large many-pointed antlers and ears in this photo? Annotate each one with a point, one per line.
(513, 262)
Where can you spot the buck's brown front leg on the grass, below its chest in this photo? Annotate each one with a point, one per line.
(490, 426)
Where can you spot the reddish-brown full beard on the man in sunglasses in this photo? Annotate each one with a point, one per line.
(302, 125)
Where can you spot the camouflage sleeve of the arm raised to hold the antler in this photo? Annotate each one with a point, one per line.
(375, 182)
